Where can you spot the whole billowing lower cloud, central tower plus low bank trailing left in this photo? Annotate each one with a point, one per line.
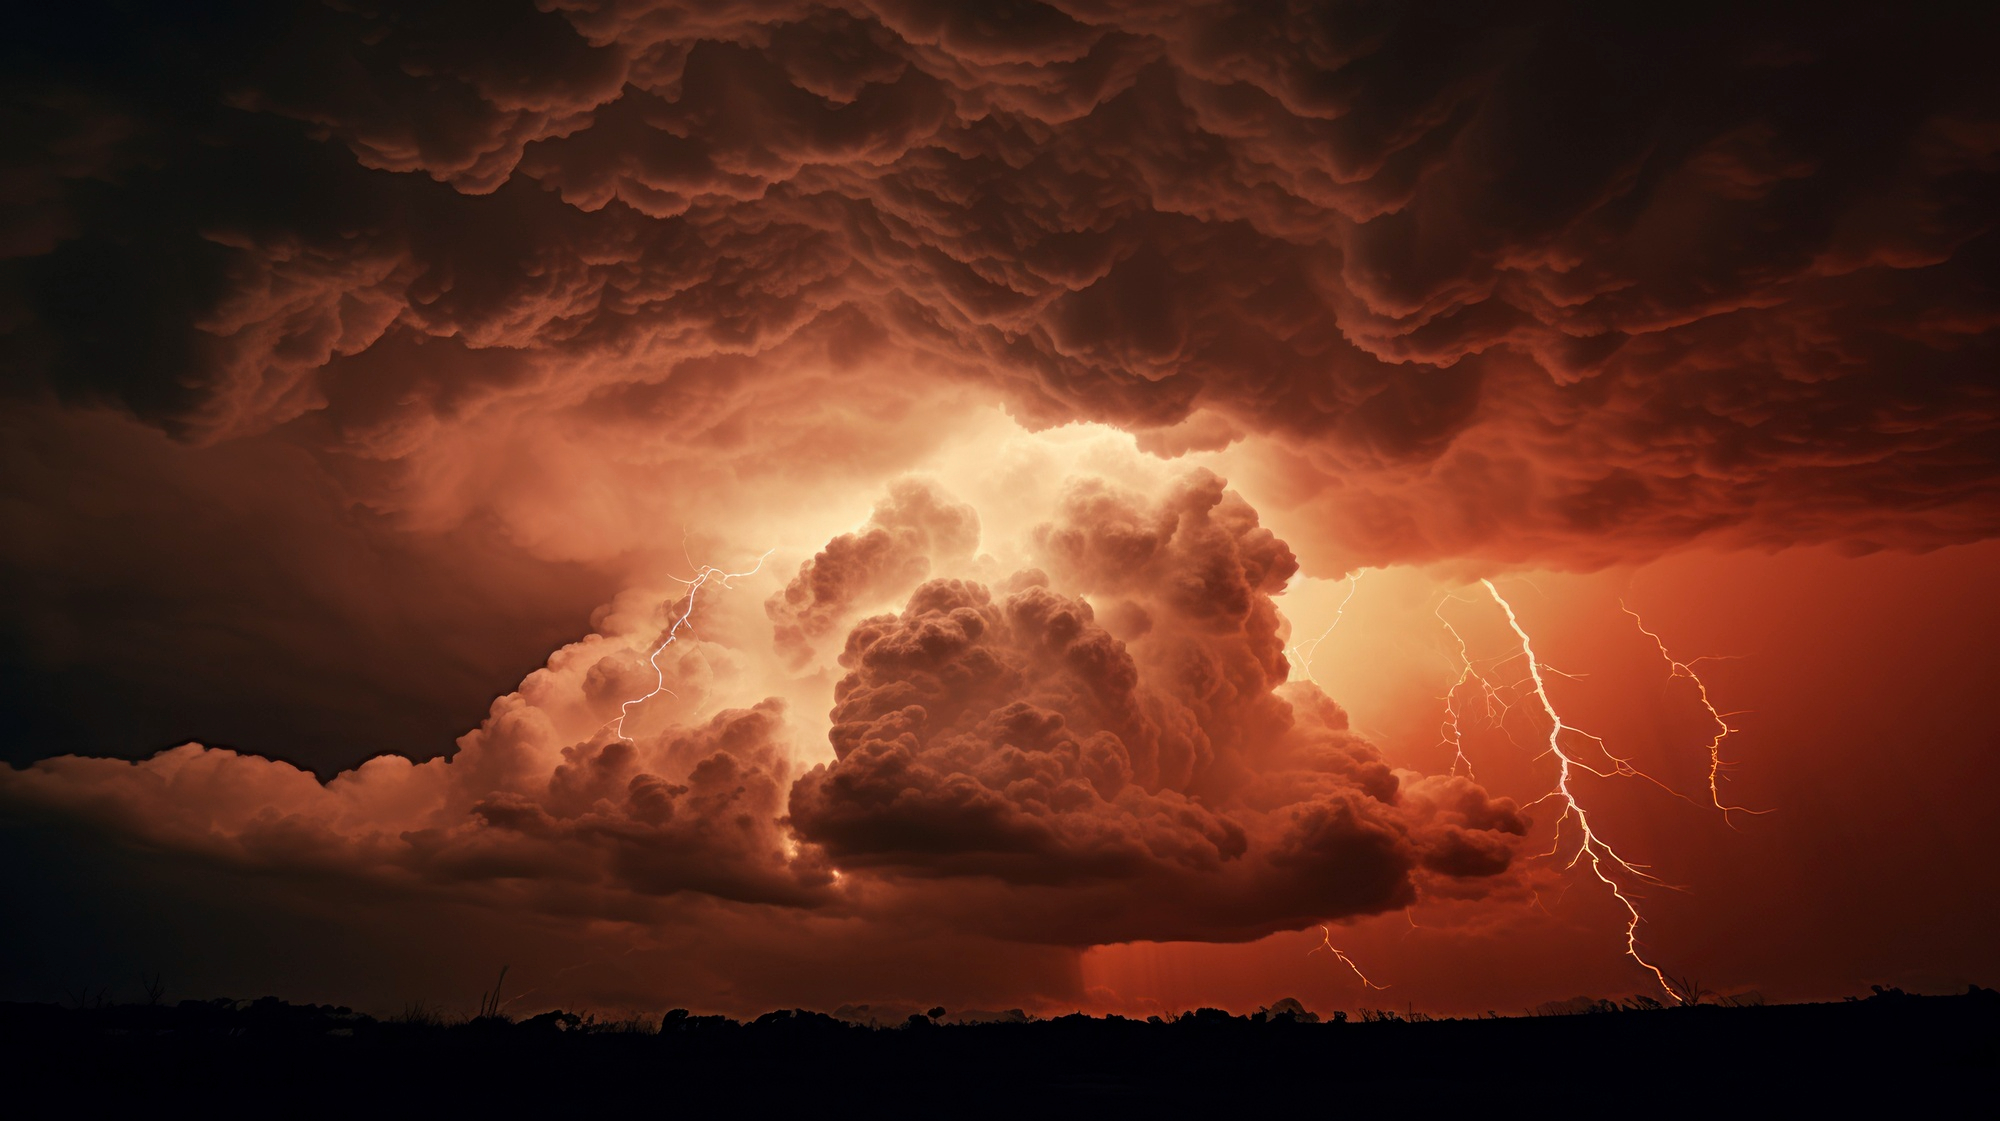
(1001, 760)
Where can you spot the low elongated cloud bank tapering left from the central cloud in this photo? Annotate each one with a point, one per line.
(589, 826)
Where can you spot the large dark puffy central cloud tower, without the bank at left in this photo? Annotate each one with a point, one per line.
(1159, 786)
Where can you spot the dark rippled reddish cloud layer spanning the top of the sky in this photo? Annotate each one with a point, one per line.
(1537, 283)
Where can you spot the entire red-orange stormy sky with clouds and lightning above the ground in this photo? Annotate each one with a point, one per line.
(1001, 505)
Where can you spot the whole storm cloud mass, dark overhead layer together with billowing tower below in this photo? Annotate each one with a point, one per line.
(359, 355)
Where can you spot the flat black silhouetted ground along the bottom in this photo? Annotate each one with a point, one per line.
(275, 1060)
